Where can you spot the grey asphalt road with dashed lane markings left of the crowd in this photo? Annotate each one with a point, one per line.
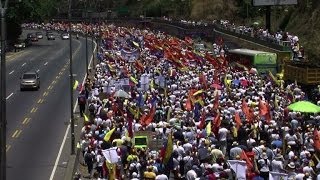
(37, 120)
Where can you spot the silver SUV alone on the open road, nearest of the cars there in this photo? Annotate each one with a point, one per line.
(30, 80)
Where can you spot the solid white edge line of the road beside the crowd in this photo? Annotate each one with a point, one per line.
(67, 130)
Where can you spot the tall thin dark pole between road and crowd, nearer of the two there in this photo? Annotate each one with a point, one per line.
(71, 83)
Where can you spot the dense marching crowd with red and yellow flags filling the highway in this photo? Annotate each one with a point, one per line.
(215, 122)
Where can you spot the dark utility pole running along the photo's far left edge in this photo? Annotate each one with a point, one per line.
(3, 116)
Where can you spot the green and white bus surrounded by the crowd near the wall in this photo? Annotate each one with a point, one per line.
(262, 61)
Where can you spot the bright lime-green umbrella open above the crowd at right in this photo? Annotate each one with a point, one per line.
(304, 106)
